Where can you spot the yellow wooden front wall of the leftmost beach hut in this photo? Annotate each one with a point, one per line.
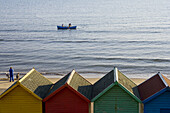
(19, 100)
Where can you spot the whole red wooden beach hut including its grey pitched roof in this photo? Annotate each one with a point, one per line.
(71, 94)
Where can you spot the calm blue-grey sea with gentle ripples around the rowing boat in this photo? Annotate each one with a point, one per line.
(133, 35)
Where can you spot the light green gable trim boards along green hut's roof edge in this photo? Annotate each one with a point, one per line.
(111, 86)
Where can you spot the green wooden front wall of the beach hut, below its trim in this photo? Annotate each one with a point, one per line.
(116, 100)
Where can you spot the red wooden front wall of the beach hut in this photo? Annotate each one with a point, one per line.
(66, 101)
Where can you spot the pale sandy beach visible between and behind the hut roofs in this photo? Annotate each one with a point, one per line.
(4, 83)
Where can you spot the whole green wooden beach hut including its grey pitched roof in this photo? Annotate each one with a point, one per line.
(113, 94)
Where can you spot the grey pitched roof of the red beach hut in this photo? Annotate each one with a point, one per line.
(74, 80)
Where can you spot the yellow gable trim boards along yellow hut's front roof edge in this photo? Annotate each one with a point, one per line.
(13, 86)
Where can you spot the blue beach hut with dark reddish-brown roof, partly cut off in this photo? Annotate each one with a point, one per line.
(155, 94)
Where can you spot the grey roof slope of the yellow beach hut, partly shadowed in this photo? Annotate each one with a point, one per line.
(36, 82)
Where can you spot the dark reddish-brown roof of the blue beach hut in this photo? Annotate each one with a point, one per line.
(151, 86)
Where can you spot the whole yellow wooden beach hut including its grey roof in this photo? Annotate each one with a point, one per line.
(25, 95)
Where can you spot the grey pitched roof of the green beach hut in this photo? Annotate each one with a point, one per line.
(113, 76)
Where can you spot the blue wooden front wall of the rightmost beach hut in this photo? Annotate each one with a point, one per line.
(158, 104)
